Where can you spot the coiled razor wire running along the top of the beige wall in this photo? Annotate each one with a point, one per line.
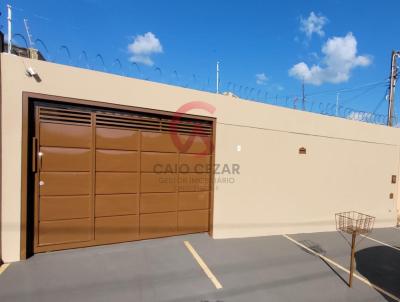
(310, 103)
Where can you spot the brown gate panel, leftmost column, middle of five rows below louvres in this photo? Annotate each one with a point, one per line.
(65, 183)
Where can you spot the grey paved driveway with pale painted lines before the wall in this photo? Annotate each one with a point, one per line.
(252, 269)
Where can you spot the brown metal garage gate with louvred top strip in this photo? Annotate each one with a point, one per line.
(106, 177)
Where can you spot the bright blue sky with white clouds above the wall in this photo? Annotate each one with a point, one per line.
(267, 48)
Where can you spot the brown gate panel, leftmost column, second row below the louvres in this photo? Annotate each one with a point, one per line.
(65, 159)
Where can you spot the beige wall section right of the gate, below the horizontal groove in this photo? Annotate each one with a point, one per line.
(280, 191)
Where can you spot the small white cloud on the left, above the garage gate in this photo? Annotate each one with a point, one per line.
(143, 47)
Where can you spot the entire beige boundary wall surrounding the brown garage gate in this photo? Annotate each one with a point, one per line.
(348, 164)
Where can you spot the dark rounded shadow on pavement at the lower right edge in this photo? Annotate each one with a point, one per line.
(381, 266)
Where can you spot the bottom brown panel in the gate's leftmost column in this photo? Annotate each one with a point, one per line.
(63, 231)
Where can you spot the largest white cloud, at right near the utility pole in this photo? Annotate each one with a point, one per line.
(339, 58)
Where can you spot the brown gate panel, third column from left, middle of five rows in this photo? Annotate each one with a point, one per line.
(158, 182)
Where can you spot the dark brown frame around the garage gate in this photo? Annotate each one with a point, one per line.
(28, 97)
